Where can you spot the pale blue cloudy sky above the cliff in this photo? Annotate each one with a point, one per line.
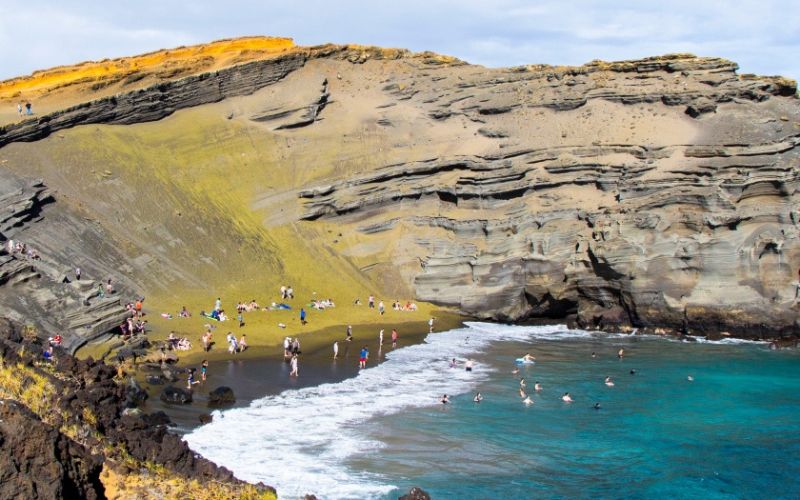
(762, 36)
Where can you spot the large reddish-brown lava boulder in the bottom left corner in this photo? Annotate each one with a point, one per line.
(37, 461)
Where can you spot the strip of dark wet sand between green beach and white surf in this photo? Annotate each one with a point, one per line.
(261, 372)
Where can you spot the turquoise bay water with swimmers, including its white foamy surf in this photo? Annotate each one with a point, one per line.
(732, 432)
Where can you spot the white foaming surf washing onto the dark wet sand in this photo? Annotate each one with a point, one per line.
(298, 440)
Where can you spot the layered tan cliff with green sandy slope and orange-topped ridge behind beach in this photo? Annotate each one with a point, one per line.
(654, 193)
